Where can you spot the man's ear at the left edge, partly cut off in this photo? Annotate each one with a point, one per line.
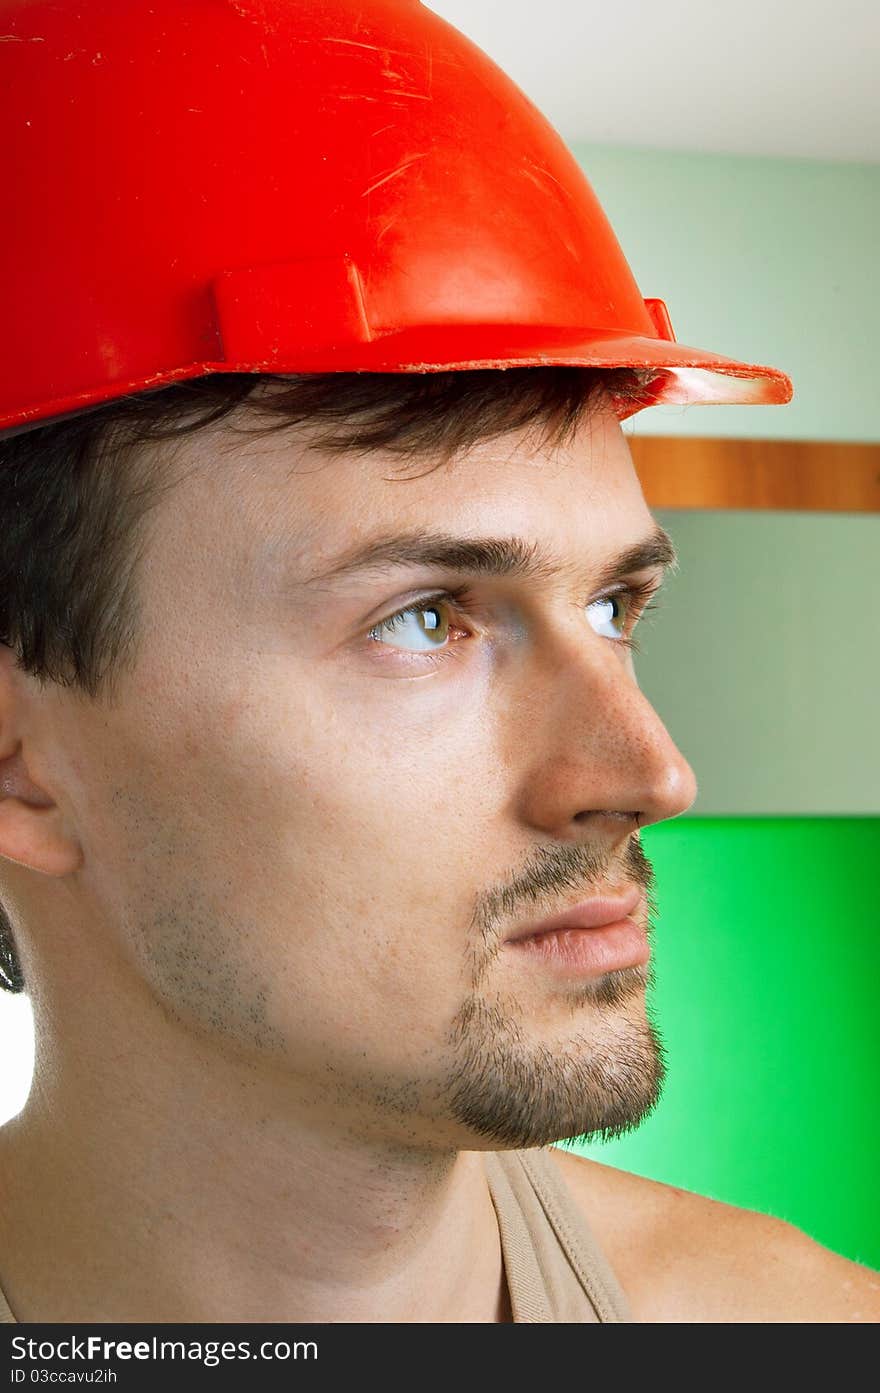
(33, 828)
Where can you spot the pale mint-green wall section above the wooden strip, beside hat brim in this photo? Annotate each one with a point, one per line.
(765, 260)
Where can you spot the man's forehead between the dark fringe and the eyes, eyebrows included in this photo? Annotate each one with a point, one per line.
(317, 522)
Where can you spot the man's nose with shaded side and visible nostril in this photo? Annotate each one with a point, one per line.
(595, 746)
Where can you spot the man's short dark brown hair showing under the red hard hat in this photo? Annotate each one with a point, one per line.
(74, 494)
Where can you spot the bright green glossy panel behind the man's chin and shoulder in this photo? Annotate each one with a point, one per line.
(768, 965)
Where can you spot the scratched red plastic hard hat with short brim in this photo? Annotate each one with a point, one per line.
(299, 186)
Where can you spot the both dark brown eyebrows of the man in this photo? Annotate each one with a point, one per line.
(499, 557)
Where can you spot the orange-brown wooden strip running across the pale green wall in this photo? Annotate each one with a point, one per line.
(806, 476)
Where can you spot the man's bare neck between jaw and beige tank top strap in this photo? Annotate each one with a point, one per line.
(144, 1188)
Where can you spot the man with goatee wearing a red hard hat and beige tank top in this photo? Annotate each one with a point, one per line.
(304, 752)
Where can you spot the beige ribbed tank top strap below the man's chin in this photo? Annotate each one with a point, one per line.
(555, 1268)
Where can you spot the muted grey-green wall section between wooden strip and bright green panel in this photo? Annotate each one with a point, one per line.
(764, 660)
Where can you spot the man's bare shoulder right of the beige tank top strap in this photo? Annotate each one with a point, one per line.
(683, 1257)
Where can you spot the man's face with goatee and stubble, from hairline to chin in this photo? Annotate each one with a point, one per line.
(308, 845)
